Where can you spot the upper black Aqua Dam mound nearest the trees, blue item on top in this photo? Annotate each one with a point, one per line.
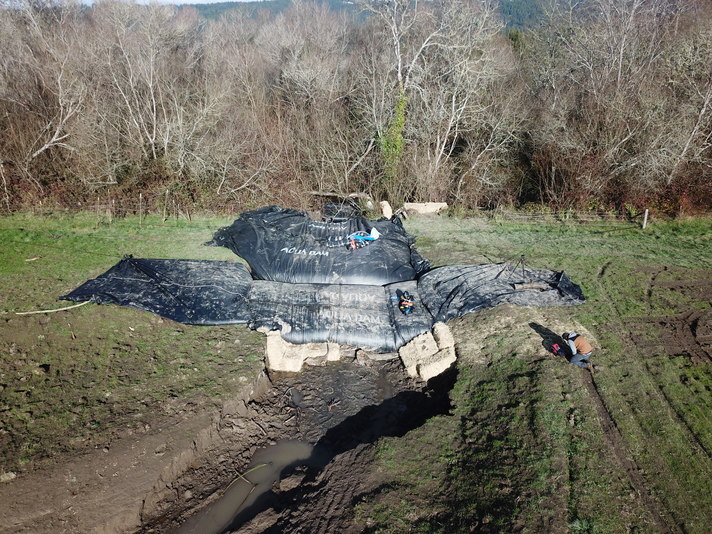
(284, 245)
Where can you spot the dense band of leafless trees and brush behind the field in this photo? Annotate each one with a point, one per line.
(602, 103)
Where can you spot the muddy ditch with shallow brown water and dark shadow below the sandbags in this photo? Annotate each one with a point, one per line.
(311, 418)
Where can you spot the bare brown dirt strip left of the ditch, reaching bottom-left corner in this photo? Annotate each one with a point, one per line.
(111, 489)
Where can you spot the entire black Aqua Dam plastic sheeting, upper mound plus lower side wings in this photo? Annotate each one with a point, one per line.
(361, 313)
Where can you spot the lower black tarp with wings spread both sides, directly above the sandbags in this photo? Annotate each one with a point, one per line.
(217, 293)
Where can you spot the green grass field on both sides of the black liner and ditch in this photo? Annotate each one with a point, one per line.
(530, 445)
